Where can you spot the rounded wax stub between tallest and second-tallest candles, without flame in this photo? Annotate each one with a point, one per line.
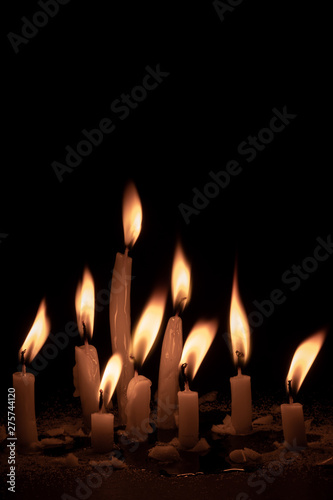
(138, 407)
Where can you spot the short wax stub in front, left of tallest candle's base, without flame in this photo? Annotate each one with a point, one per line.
(102, 432)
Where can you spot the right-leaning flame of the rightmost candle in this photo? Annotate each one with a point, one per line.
(303, 358)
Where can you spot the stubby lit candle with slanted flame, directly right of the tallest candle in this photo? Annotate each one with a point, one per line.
(138, 391)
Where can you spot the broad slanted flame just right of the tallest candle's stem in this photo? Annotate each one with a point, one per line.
(148, 327)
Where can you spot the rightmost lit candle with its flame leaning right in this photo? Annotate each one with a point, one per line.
(292, 413)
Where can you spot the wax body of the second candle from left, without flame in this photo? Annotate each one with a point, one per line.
(87, 380)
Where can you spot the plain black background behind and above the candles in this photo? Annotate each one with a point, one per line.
(224, 80)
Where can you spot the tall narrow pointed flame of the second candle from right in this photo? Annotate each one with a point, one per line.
(239, 326)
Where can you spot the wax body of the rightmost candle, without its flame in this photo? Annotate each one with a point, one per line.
(293, 425)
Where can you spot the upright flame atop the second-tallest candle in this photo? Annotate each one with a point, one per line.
(180, 279)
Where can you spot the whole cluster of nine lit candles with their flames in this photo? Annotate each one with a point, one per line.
(129, 353)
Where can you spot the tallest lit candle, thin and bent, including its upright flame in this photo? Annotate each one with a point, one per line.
(120, 311)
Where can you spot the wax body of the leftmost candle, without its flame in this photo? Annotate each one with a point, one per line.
(25, 419)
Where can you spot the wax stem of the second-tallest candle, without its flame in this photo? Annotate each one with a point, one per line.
(168, 385)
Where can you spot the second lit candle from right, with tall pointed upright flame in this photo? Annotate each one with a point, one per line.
(241, 399)
